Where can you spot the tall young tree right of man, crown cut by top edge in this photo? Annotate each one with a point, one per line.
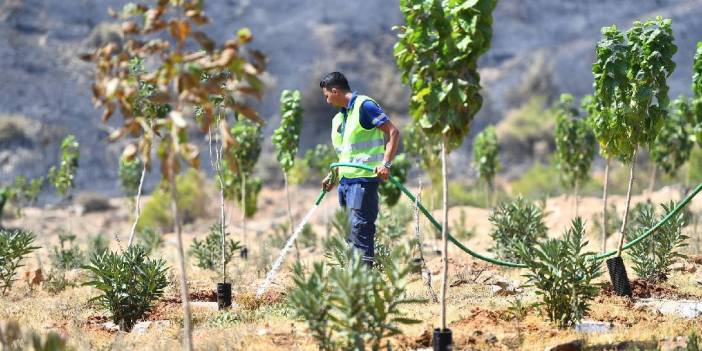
(437, 53)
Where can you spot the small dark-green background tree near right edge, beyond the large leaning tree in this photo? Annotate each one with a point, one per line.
(673, 145)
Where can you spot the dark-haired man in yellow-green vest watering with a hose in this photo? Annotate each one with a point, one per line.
(361, 133)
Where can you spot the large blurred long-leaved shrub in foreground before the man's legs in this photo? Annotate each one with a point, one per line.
(348, 305)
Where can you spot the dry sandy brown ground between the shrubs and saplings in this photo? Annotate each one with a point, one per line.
(476, 312)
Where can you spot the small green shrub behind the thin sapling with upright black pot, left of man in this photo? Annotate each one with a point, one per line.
(208, 253)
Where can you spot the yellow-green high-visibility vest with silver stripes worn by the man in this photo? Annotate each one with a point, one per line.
(357, 144)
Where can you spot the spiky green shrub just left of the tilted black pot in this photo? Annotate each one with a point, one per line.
(562, 274)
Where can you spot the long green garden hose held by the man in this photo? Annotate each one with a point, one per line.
(496, 261)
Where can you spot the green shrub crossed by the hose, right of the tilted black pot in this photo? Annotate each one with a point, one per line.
(653, 256)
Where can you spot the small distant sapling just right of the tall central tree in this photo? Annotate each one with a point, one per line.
(485, 160)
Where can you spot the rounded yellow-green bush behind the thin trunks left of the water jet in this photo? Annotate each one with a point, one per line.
(192, 202)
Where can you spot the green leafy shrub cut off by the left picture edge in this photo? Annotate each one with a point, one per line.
(14, 246)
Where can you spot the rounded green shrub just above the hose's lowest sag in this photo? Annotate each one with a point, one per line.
(516, 222)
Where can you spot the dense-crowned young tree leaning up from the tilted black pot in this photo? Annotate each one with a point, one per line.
(631, 92)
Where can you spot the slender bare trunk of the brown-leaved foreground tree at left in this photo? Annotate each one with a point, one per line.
(187, 332)
